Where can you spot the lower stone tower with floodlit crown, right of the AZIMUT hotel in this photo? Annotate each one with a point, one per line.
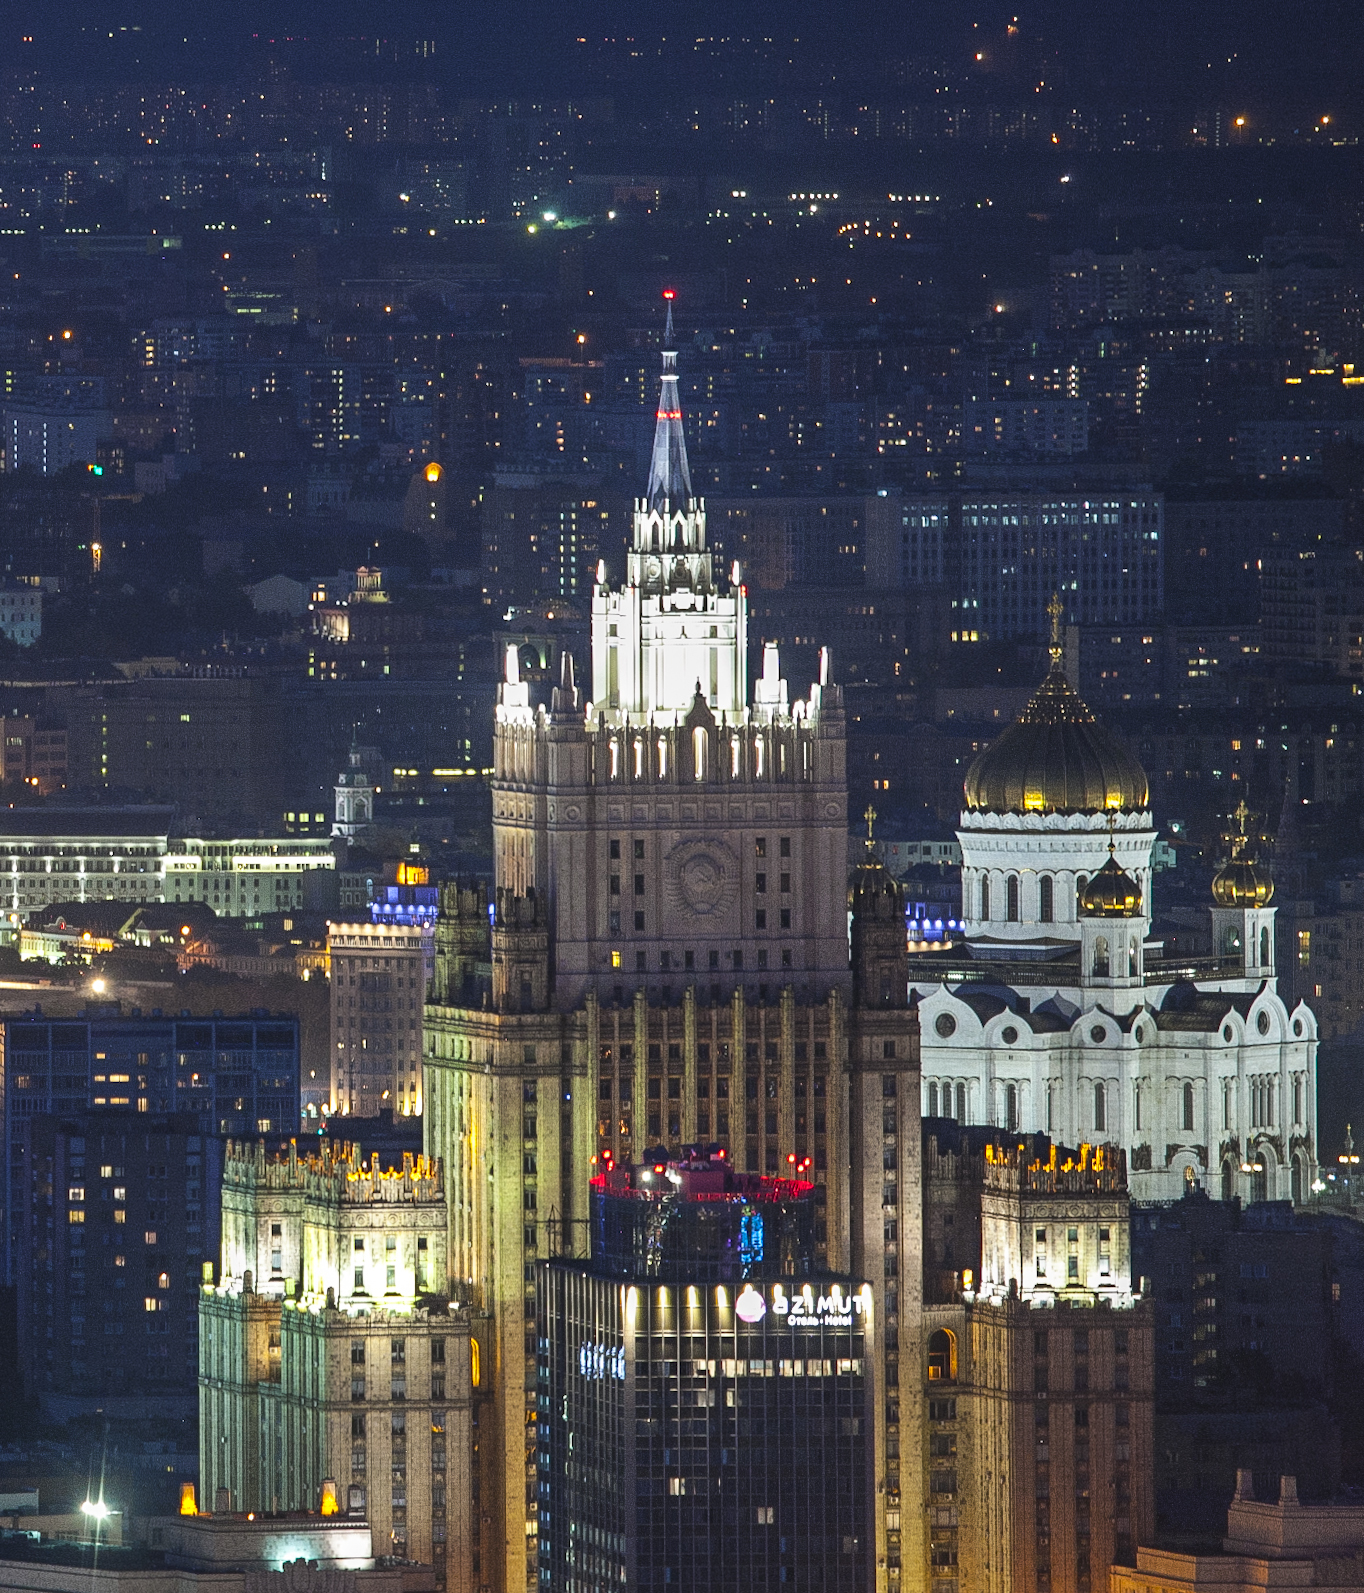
(1037, 1371)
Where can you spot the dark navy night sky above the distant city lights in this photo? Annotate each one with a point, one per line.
(1279, 52)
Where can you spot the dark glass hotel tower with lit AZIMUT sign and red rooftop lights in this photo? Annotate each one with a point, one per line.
(710, 1395)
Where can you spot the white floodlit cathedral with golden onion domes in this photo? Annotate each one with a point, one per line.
(1065, 1017)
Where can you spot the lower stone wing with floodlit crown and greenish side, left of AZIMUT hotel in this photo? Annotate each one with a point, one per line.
(329, 1350)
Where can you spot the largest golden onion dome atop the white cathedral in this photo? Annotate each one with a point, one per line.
(1057, 759)
